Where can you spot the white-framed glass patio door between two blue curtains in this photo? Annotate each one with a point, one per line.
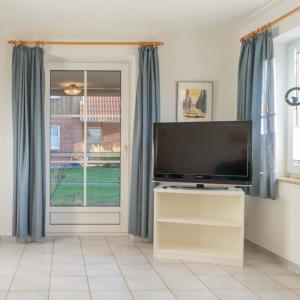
(88, 186)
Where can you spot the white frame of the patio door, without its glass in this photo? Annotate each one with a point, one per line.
(121, 225)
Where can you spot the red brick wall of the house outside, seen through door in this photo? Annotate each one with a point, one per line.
(71, 134)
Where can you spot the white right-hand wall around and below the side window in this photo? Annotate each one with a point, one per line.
(275, 224)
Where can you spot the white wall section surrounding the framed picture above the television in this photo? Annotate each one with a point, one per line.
(212, 57)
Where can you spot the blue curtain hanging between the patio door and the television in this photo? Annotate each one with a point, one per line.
(147, 111)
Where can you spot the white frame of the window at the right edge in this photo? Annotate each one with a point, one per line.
(292, 167)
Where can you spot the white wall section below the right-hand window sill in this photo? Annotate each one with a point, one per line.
(274, 224)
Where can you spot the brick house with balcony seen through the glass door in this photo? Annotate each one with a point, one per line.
(103, 124)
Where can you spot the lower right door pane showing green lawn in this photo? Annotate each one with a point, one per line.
(103, 184)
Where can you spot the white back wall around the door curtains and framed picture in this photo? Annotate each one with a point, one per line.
(209, 56)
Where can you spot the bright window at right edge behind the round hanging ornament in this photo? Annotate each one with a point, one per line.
(293, 166)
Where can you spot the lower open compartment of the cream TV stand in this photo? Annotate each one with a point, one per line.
(199, 240)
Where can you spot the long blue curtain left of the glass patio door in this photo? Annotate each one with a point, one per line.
(28, 91)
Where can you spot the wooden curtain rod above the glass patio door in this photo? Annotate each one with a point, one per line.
(44, 43)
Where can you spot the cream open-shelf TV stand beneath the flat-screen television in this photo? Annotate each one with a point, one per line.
(204, 225)
